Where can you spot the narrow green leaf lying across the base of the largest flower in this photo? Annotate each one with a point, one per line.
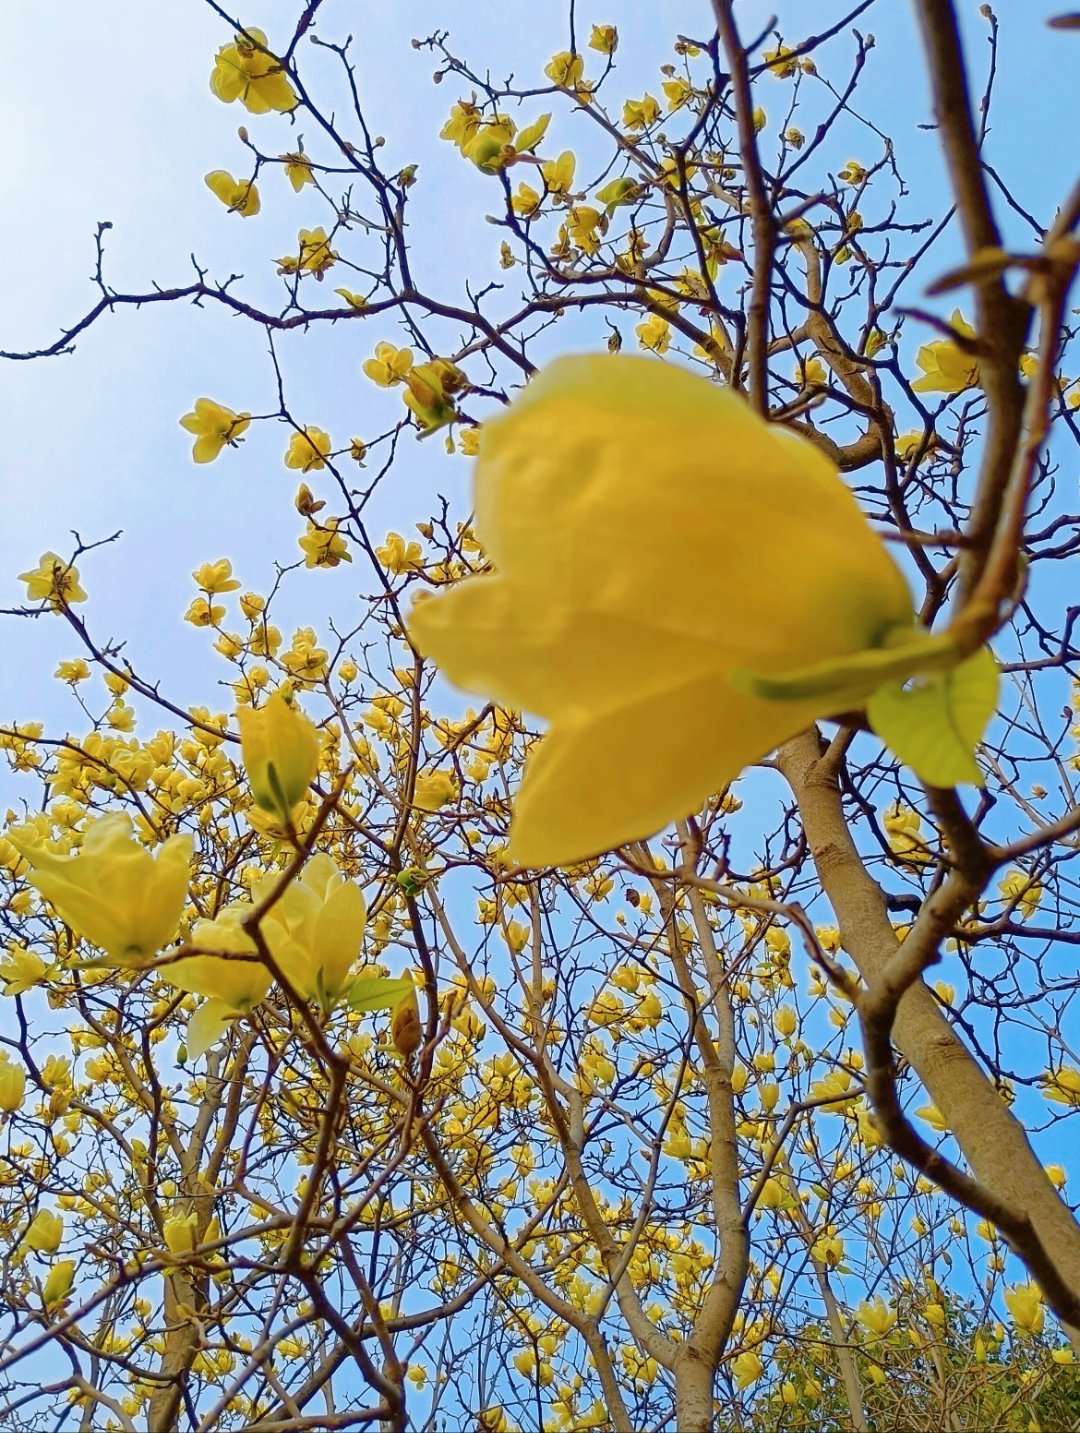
(850, 680)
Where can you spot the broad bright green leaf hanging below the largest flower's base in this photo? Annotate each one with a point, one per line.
(936, 724)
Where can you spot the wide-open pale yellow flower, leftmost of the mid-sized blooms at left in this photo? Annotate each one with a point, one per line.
(115, 893)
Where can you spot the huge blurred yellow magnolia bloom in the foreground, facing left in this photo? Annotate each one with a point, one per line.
(609, 498)
